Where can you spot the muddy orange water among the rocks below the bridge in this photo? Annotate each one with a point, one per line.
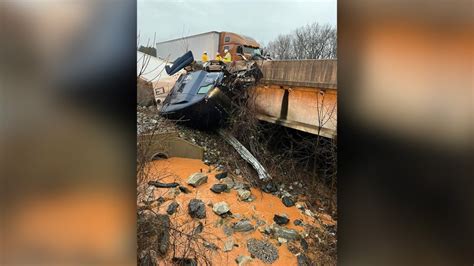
(262, 208)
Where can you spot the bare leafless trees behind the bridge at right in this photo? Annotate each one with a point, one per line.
(313, 41)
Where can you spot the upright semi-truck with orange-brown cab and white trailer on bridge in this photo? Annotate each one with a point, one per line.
(212, 42)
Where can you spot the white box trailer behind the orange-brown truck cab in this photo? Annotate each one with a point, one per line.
(172, 49)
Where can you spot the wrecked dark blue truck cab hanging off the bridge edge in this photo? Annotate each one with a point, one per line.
(205, 94)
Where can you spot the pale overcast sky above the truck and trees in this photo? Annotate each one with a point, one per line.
(261, 19)
